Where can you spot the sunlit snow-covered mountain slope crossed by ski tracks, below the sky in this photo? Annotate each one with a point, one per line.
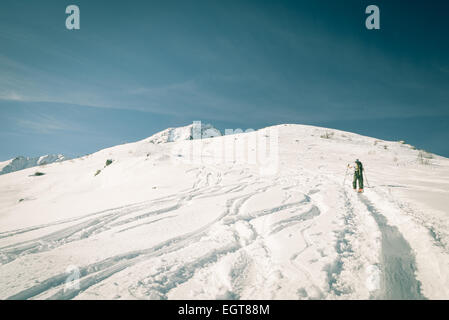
(160, 223)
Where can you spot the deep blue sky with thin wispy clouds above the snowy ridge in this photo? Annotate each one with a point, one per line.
(137, 67)
